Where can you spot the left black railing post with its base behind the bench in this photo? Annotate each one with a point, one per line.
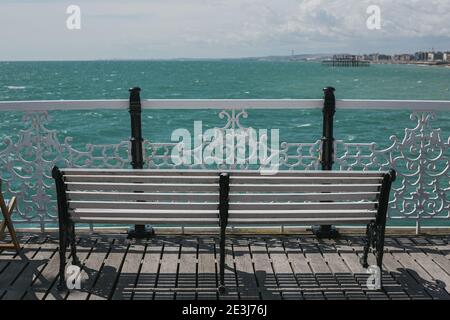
(137, 157)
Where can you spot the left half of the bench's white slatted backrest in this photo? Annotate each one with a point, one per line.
(142, 196)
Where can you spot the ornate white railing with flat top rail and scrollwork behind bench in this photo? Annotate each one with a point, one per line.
(420, 155)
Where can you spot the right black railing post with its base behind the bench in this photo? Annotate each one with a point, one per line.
(329, 110)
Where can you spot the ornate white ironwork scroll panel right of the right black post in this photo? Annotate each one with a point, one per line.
(421, 159)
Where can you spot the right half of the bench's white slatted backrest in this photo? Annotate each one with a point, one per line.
(304, 198)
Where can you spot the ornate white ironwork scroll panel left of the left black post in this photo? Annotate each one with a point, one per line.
(27, 161)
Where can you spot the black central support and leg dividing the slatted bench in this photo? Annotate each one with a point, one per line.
(224, 190)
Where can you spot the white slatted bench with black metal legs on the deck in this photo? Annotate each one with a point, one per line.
(205, 198)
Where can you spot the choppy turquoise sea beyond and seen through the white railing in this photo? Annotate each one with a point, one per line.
(243, 79)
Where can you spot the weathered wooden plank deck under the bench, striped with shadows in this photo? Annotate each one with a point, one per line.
(284, 267)
